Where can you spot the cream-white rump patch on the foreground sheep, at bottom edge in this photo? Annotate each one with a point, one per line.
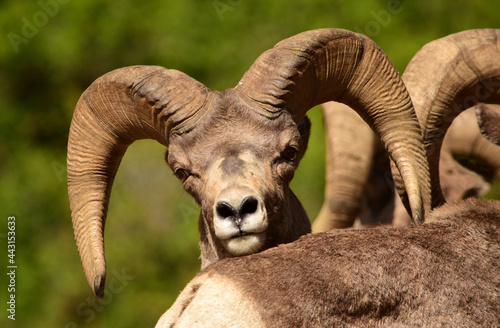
(211, 301)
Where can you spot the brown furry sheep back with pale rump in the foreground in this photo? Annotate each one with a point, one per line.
(444, 272)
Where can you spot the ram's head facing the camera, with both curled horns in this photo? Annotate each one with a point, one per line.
(236, 151)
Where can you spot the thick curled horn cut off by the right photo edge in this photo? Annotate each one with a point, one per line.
(446, 77)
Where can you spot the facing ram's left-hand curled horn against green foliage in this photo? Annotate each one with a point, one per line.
(142, 102)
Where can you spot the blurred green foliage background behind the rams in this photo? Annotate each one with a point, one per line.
(51, 50)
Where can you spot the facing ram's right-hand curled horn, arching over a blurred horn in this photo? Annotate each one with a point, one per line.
(333, 64)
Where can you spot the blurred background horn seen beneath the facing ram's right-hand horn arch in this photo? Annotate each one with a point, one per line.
(348, 171)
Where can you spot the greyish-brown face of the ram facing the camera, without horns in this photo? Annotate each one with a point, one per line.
(237, 165)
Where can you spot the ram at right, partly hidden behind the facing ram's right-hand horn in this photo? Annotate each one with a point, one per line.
(457, 72)
